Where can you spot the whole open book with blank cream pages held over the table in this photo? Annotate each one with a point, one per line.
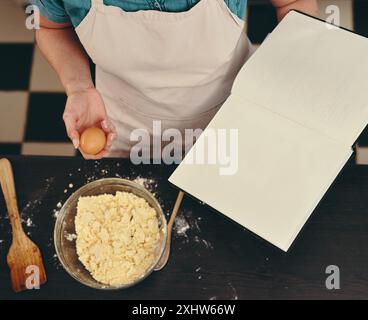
(299, 104)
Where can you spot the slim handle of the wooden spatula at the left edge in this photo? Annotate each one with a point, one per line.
(8, 187)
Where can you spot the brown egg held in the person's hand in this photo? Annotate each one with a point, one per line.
(93, 141)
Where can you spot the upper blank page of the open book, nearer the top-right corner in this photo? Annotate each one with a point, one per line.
(313, 74)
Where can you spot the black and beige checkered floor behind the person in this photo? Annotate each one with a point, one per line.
(32, 99)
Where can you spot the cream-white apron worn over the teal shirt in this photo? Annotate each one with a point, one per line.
(175, 67)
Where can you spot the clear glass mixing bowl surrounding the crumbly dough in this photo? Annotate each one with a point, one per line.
(64, 232)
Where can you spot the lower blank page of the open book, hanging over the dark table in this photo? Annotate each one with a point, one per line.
(284, 170)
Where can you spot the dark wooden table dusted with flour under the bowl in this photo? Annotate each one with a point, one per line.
(215, 258)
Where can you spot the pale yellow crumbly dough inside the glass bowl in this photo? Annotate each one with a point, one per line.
(117, 236)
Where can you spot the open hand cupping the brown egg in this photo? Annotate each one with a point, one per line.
(85, 109)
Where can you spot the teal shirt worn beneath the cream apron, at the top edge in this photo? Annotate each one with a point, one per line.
(74, 11)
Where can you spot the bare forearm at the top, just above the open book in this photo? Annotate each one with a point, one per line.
(284, 6)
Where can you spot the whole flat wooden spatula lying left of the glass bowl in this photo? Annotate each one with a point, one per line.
(24, 257)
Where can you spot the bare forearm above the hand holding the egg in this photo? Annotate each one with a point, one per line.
(62, 49)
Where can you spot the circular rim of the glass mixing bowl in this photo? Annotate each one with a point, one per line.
(63, 211)
